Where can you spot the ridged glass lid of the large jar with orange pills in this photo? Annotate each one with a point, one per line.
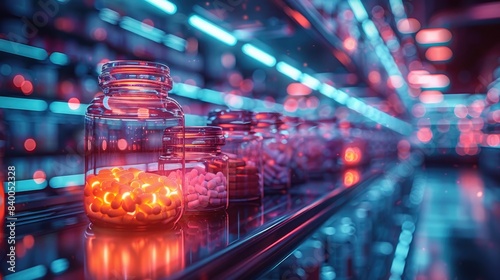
(135, 73)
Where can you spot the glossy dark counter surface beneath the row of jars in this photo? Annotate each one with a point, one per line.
(58, 241)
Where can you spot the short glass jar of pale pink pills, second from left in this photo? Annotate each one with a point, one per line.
(206, 168)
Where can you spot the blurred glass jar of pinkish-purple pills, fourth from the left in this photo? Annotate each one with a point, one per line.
(276, 152)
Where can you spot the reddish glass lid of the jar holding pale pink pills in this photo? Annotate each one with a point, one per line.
(194, 136)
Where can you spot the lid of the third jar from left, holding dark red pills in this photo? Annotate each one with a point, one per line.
(231, 119)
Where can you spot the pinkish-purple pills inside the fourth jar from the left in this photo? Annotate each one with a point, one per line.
(276, 166)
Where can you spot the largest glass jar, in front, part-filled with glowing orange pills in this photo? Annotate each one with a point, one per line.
(123, 142)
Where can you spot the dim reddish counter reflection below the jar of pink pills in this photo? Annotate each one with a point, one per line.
(204, 234)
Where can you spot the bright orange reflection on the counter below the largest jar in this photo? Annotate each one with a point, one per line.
(125, 255)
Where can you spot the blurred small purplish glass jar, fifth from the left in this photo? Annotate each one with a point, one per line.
(311, 153)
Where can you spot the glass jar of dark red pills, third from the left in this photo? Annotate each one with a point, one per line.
(244, 149)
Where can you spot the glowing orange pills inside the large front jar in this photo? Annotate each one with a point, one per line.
(131, 197)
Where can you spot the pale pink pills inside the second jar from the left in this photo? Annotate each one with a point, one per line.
(204, 190)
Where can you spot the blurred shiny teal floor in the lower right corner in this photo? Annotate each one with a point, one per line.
(458, 233)
